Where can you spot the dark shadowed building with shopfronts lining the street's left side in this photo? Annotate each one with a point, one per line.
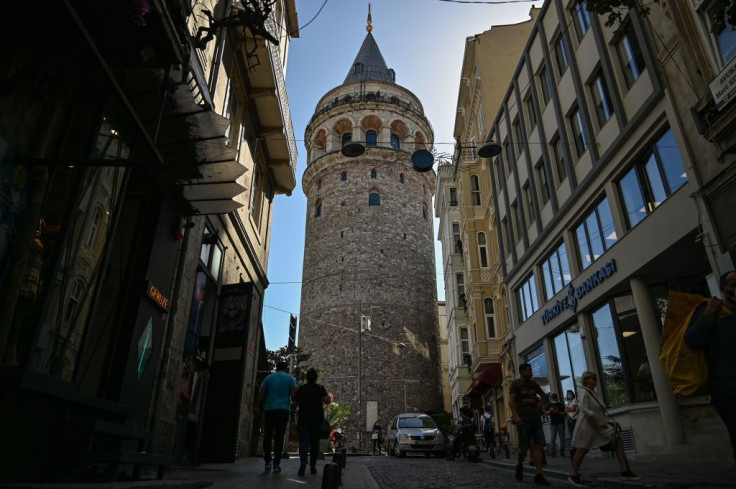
(138, 173)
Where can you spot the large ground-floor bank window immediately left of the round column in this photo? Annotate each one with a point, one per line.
(625, 375)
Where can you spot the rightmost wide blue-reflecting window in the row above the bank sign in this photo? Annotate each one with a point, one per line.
(652, 180)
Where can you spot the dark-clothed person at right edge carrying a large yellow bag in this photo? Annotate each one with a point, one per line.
(713, 329)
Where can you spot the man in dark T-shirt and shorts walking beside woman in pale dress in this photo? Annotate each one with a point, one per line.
(526, 398)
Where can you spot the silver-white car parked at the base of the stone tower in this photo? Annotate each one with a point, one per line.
(414, 432)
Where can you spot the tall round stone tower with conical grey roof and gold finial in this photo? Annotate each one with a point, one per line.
(369, 250)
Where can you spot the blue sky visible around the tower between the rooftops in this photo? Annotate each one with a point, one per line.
(424, 42)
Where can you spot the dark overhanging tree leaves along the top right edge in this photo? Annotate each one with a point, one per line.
(722, 12)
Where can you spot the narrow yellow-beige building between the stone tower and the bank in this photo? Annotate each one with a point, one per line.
(473, 275)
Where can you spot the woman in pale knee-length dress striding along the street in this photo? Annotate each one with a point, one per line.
(591, 431)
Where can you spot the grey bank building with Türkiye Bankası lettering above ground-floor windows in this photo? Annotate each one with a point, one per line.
(592, 191)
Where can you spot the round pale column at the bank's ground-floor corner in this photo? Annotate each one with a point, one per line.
(650, 332)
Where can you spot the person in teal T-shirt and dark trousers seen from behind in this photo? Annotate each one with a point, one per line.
(278, 390)
